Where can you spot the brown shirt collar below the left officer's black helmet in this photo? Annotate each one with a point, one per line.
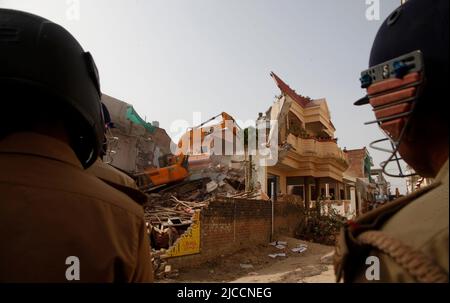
(39, 145)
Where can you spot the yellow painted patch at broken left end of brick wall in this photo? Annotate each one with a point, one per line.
(189, 242)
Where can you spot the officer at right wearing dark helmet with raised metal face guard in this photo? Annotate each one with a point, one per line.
(407, 84)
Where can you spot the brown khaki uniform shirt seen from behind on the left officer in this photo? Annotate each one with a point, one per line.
(51, 209)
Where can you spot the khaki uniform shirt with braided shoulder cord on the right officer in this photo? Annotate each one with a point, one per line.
(413, 243)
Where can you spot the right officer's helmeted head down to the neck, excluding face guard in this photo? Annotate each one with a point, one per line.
(421, 25)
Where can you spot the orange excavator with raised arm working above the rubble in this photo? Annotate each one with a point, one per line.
(176, 167)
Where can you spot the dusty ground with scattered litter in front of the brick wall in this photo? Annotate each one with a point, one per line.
(255, 266)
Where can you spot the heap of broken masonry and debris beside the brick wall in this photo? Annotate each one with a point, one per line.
(169, 211)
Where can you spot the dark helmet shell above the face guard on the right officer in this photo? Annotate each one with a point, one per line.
(417, 25)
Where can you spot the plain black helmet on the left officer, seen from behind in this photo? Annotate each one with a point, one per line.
(47, 80)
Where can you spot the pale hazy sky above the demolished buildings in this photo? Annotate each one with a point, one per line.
(170, 58)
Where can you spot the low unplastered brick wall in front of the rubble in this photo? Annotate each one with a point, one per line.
(229, 225)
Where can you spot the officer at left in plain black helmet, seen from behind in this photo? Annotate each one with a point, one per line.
(58, 223)
